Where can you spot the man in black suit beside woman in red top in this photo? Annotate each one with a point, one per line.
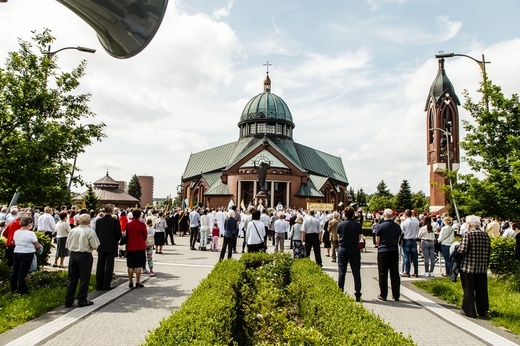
(108, 231)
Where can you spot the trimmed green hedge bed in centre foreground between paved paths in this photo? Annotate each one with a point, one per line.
(272, 299)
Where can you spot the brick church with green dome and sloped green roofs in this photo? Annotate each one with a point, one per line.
(265, 166)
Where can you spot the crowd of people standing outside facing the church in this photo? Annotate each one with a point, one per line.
(136, 234)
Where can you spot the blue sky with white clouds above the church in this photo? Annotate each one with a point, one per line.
(355, 75)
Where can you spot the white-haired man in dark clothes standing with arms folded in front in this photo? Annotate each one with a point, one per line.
(387, 239)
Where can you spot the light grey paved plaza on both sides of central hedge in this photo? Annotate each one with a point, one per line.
(125, 317)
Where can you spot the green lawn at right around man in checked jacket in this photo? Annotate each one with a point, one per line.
(504, 302)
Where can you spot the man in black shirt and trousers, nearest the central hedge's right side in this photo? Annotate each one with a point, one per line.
(349, 234)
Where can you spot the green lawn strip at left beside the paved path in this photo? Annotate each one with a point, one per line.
(47, 292)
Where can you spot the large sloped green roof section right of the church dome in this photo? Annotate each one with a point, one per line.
(321, 163)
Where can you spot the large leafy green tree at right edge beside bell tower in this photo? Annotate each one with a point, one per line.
(492, 146)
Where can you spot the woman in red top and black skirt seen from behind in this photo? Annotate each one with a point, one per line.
(136, 234)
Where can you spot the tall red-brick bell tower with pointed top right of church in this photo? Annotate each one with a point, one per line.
(442, 136)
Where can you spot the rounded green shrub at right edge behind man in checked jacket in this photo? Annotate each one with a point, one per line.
(502, 262)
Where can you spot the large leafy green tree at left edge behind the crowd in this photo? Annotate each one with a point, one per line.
(40, 125)
